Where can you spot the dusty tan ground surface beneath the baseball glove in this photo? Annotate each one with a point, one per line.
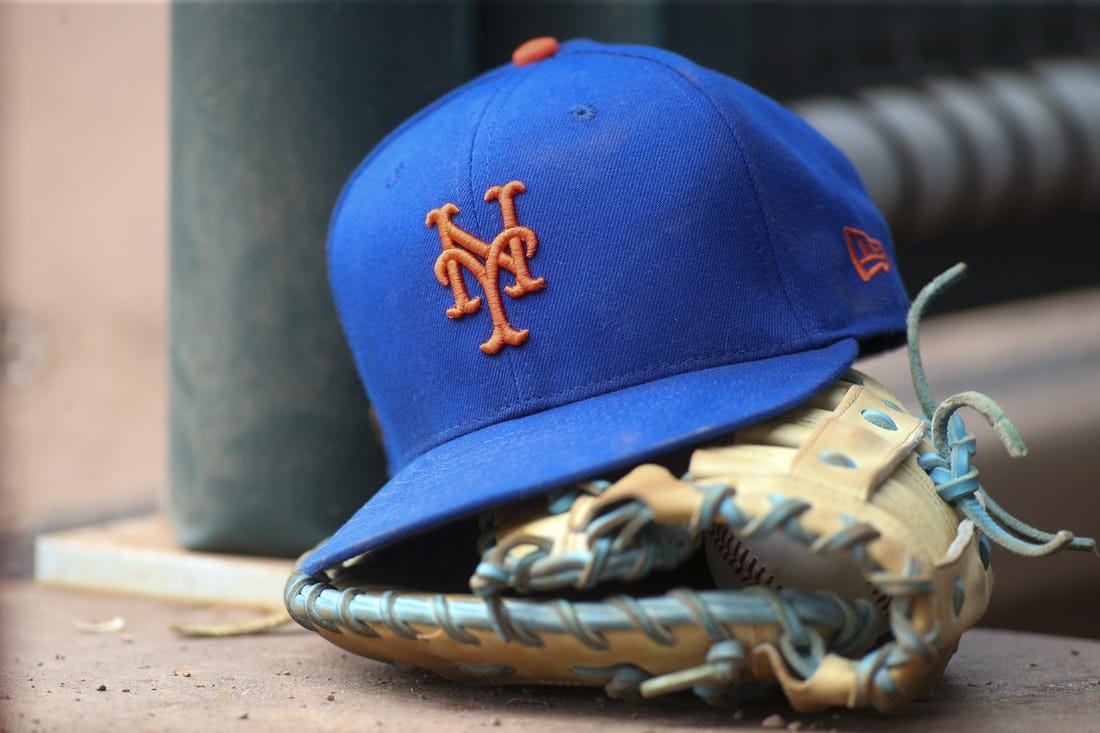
(56, 677)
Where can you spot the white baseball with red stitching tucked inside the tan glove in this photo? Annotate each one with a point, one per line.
(778, 562)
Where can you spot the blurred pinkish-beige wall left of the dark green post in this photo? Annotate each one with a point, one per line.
(84, 137)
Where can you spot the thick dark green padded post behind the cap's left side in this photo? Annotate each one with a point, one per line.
(273, 105)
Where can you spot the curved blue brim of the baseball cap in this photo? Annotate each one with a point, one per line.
(519, 458)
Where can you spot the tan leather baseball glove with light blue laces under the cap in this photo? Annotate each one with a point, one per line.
(835, 554)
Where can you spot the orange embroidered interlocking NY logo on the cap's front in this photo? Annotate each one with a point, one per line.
(509, 250)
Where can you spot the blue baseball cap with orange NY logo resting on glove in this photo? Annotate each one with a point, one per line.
(586, 258)
